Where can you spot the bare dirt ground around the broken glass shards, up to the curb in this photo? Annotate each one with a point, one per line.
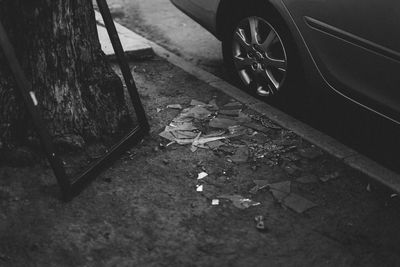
(145, 211)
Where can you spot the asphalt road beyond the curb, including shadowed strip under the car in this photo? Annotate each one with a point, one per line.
(161, 22)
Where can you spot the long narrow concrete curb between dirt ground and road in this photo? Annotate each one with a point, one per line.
(347, 155)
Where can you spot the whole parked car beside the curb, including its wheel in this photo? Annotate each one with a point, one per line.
(349, 46)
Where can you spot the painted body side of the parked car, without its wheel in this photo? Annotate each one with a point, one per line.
(348, 46)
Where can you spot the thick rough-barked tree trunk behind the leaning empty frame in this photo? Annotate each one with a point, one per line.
(80, 96)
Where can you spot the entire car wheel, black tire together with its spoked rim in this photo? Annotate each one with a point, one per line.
(260, 56)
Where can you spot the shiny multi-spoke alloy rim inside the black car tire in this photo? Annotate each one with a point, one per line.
(259, 56)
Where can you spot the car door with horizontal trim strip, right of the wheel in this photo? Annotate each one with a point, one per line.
(355, 45)
